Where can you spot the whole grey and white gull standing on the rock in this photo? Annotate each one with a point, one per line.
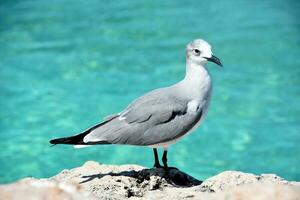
(161, 117)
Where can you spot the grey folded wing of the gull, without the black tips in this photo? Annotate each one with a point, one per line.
(152, 119)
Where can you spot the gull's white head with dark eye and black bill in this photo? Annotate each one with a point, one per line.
(199, 52)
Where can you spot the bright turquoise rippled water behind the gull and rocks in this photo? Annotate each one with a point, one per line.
(64, 65)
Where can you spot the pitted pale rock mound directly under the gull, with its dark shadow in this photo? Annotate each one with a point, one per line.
(115, 182)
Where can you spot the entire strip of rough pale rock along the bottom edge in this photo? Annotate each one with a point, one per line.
(97, 181)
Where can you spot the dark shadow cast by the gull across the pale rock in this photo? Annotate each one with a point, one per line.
(175, 177)
